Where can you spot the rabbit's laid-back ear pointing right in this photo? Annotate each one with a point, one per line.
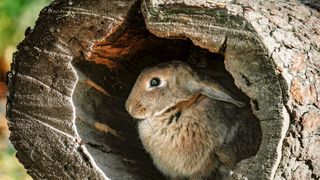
(214, 91)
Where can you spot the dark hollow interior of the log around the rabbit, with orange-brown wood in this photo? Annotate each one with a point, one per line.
(106, 74)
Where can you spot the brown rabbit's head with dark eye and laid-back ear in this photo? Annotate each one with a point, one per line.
(160, 88)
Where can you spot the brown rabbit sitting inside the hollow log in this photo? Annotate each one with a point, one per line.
(180, 125)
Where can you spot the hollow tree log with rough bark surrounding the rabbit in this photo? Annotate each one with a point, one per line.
(72, 73)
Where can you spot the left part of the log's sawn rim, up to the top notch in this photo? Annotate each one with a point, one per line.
(40, 108)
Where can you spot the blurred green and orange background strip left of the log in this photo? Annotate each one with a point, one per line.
(15, 17)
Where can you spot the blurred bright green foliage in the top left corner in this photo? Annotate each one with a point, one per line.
(15, 17)
